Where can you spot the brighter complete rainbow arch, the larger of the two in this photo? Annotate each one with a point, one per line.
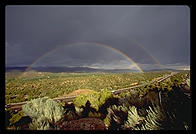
(80, 43)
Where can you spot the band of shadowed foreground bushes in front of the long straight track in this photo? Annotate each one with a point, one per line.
(126, 111)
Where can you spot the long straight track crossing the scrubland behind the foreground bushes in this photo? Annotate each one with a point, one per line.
(18, 106)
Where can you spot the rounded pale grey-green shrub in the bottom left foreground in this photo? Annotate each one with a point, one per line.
(42, 111)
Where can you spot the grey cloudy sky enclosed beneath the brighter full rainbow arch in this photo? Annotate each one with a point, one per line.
(84, 55)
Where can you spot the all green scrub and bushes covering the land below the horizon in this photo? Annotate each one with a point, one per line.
(157, 106)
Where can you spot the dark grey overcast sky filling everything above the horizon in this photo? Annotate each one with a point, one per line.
(146, 34)
